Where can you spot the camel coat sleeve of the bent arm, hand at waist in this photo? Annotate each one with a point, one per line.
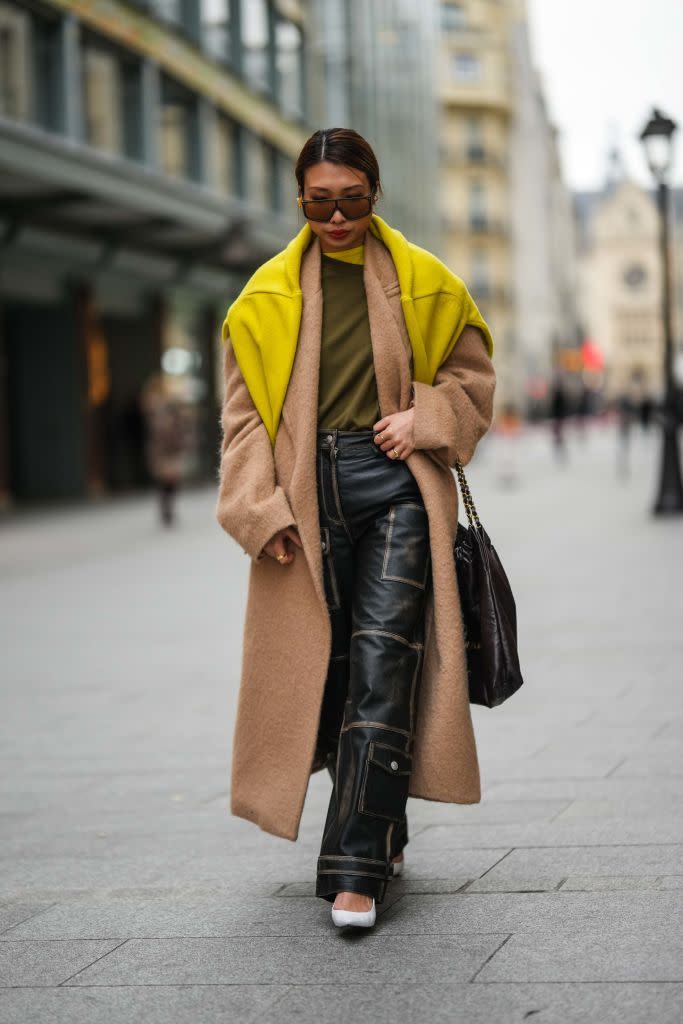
(454, 413)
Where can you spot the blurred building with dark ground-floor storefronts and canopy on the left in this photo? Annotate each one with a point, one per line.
(146, 168)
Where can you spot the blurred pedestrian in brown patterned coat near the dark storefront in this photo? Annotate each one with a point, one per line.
(165, 442)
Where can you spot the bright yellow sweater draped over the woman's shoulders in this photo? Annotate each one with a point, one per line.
(264, 321)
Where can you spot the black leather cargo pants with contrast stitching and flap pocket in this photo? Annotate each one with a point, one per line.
(377, 569)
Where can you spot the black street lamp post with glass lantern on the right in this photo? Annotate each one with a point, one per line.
(657, 138)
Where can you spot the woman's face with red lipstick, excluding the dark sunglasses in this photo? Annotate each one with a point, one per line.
(326, 181)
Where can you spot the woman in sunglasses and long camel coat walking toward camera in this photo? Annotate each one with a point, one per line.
(358, 372)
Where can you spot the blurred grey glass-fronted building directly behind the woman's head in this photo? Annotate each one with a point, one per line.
(371, 66)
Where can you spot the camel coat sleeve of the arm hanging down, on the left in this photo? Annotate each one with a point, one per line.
(251, 506)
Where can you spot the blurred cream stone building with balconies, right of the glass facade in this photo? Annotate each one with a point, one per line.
(506, 211)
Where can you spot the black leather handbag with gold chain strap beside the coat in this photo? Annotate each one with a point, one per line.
(490, 616)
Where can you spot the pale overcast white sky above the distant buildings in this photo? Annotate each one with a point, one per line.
(605, 64)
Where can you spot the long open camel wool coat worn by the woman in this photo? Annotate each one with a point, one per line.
(287, 630)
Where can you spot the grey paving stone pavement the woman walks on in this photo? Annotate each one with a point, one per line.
(127, 891)
